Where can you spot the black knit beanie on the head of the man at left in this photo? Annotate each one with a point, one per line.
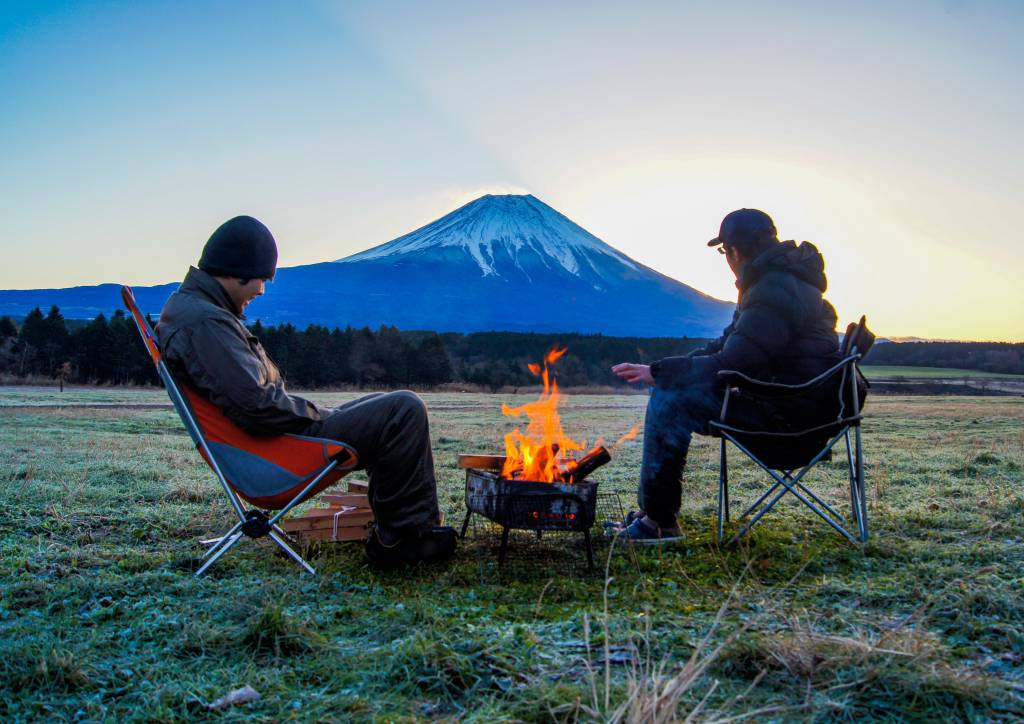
(242, 248)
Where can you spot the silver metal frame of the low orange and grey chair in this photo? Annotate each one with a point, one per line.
(252, 522)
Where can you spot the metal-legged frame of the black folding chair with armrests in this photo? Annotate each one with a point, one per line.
(792, 481)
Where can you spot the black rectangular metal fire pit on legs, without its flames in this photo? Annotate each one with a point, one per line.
(528, 505)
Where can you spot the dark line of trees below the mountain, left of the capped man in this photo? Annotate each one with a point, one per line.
(108, 351)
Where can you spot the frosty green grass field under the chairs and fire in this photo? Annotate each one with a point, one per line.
(101, 619)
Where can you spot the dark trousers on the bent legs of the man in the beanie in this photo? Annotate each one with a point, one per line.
(392, 438)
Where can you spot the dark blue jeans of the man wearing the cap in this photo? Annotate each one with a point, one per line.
(673, 417)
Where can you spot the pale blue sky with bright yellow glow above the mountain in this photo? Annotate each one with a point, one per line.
(887, 134)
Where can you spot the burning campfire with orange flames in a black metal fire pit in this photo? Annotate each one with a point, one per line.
(541, 483)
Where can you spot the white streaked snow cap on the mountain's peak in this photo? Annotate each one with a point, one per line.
(516, 225)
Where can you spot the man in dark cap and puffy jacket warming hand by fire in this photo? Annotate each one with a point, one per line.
(783, 330)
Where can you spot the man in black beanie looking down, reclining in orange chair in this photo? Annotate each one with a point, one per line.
(204, 342)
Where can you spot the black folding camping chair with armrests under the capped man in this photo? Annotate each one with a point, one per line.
(789, 456)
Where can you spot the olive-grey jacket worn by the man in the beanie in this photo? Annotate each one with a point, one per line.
(205, 344)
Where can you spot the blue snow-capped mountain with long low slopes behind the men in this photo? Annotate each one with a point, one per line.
(498, 264)
